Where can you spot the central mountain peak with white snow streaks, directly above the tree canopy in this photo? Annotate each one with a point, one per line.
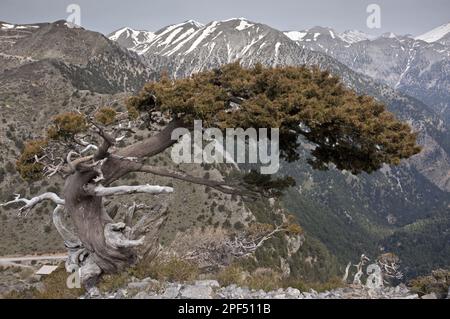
(189, 47)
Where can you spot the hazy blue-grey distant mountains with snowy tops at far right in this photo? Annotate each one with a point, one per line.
(414, 66)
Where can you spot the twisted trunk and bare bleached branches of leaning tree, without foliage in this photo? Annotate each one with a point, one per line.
(100, 244)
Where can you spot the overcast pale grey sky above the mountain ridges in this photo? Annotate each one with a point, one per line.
(398, 16)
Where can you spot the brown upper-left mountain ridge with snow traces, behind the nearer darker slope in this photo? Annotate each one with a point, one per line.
(88, 59)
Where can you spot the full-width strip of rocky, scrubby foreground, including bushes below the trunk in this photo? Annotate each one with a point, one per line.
(16, 282)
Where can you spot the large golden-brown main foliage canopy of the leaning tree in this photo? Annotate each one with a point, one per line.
(355, 133)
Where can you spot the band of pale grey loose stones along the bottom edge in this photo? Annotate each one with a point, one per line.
(211, 289)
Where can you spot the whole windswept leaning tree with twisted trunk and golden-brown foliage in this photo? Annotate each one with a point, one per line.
(351, 132)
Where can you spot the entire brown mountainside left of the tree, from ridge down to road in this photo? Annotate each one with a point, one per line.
(47, 68)
